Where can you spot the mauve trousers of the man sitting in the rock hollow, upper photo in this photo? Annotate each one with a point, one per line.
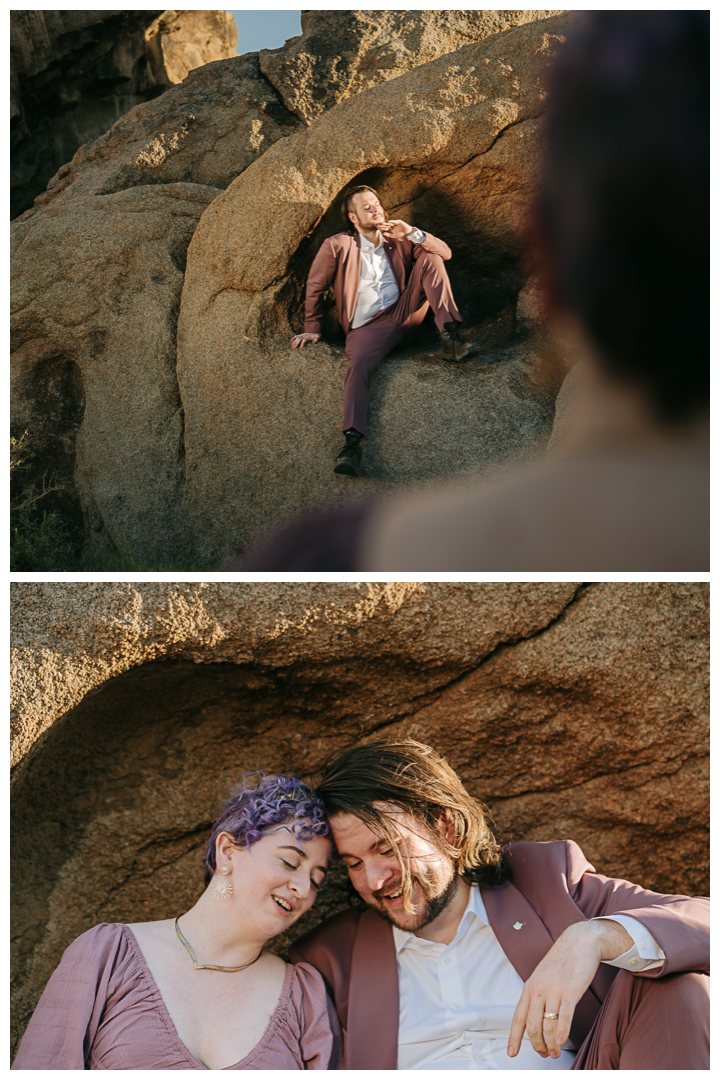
(365, 347)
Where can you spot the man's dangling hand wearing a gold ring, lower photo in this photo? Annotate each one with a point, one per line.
(560, 981)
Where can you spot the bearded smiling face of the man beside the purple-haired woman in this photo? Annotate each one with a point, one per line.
(376, 874)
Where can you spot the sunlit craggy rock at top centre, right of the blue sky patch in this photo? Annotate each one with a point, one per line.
(337, 57)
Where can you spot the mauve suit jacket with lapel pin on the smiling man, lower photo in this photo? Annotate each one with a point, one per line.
(552, 886)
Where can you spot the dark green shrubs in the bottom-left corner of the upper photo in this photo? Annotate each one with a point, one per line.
(43, 542)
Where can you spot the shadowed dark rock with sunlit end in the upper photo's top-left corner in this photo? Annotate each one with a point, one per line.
(74, 74)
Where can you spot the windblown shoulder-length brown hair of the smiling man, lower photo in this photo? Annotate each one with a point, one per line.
(415, 779)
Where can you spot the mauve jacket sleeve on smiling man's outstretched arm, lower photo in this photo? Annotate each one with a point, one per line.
(681, 925)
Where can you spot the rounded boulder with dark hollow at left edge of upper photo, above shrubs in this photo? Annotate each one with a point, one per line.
(94, 356)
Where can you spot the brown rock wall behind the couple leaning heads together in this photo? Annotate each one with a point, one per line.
(570, 710)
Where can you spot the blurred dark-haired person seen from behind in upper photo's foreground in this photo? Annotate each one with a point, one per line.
(622, 255)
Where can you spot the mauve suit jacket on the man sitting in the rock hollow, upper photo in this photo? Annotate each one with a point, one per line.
(338, 264)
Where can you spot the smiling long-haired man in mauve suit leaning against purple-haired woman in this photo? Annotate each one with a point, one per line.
(468, 956)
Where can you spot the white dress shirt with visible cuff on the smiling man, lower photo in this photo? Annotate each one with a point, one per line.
(458, 1001)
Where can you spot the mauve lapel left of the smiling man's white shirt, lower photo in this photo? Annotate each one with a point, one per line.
(374, 998)
